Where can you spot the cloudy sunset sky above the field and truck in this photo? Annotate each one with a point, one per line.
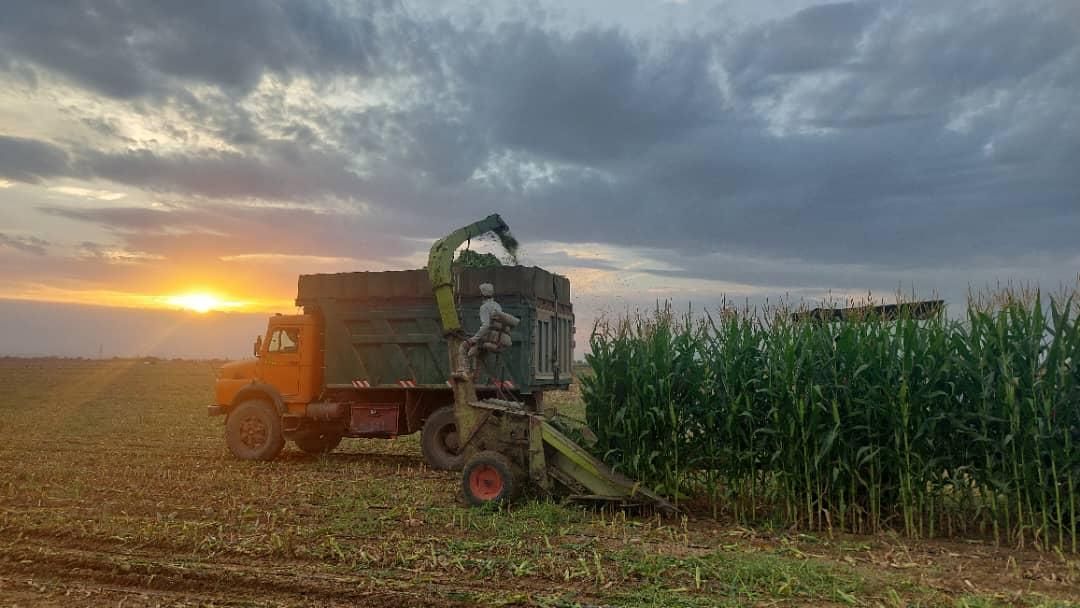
(652, 151)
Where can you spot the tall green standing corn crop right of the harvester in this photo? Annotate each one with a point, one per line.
(934, 428)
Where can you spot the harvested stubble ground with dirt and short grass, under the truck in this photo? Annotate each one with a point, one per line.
(116, 490)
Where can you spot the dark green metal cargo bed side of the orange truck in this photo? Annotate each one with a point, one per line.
(384, 328)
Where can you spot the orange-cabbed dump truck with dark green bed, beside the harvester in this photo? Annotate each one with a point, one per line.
(369, 359)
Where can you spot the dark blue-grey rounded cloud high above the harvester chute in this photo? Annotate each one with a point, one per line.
(591, 97)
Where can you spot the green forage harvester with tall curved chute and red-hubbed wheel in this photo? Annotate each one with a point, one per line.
(506, 447)
